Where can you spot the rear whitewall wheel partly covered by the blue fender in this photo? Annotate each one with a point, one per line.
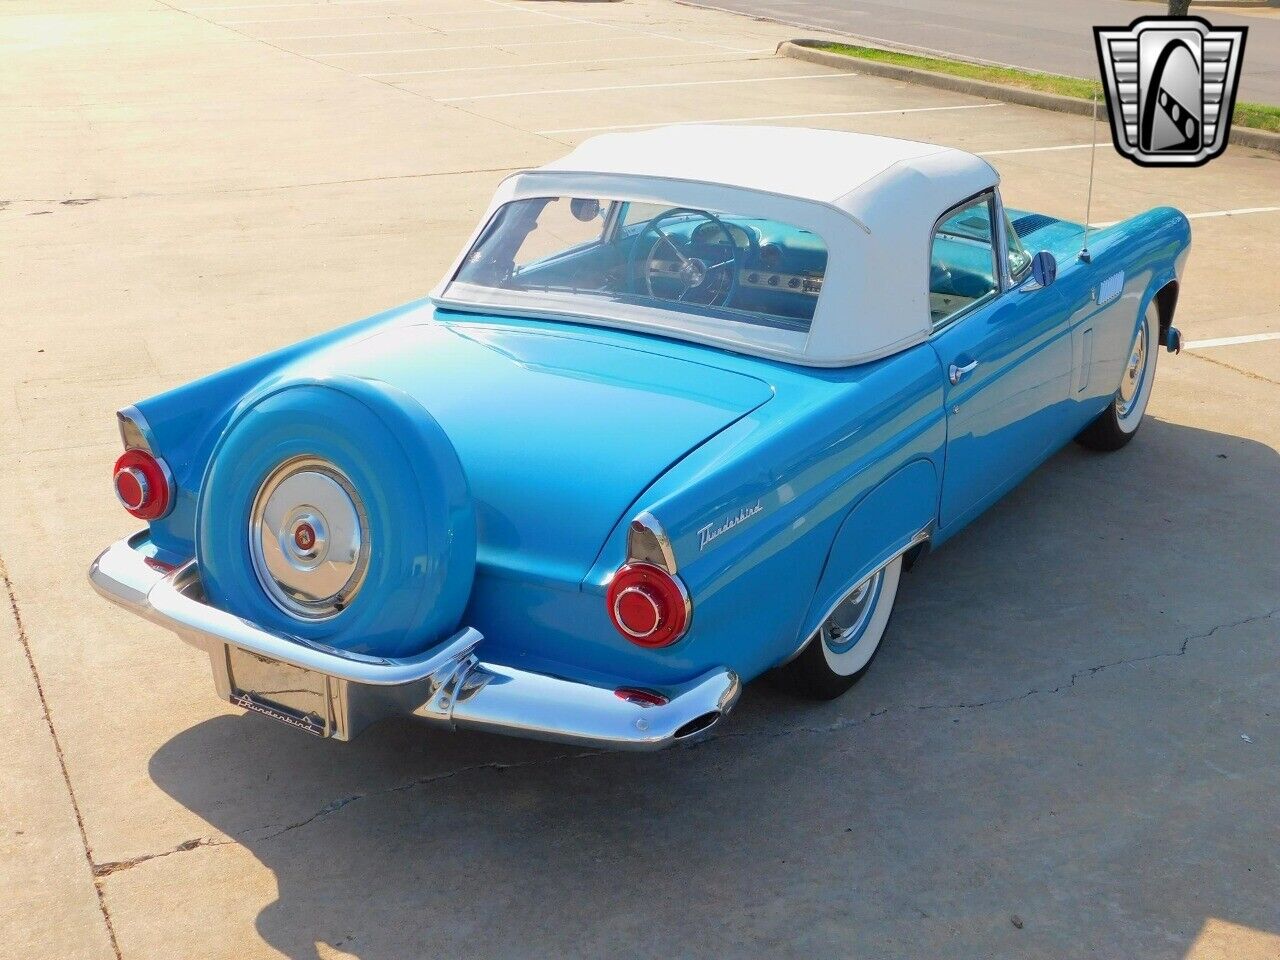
(842, 650)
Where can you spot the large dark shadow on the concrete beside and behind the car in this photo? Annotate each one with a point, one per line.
(1044, 762)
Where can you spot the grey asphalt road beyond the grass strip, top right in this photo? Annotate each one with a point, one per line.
(1040, 35)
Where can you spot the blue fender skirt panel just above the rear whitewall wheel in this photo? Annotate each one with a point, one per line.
(884, 524)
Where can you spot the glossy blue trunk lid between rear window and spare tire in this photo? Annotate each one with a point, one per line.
(559, 431)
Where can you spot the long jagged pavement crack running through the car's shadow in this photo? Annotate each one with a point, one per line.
(333, 807)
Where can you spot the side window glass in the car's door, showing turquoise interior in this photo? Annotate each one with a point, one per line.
(963, 260)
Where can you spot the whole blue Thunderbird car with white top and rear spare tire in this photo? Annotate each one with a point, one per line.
(682, 413)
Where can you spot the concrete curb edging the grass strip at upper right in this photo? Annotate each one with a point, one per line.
(807, 51)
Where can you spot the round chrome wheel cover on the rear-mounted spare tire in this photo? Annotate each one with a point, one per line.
(309, 538)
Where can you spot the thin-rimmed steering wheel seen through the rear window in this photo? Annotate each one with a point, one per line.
(683, 269)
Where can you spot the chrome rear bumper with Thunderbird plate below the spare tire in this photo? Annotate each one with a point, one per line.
(337, 693)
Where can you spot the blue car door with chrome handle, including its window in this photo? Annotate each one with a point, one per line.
(1005, 349)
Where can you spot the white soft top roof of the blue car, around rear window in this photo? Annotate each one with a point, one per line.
(872, 200)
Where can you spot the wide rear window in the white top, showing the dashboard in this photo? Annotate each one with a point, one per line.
(703, 263)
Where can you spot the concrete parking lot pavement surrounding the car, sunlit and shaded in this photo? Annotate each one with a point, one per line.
(1053, 733)
